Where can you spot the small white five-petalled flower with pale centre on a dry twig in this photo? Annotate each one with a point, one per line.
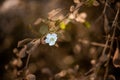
(51, 39)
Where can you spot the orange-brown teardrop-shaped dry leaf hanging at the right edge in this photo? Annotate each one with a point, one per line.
(116, 58)
